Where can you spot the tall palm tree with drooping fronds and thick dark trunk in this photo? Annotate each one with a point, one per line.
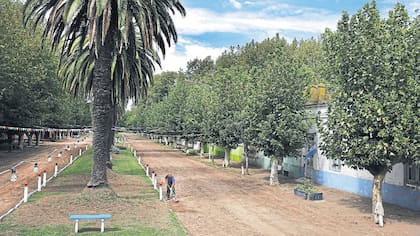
(114, 41)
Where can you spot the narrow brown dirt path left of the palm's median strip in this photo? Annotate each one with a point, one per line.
(12, 192)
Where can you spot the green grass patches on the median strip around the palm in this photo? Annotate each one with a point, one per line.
(123, 163)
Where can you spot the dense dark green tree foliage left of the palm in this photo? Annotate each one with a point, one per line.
(30, 92)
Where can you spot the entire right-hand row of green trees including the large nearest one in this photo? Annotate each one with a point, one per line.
(256, 94)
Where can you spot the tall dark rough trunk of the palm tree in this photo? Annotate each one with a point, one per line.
(102, 110)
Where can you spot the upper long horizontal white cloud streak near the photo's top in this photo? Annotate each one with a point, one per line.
(199, 21)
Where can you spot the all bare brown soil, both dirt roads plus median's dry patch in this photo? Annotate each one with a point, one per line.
(212, 200)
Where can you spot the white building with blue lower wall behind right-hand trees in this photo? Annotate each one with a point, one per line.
(401, 185)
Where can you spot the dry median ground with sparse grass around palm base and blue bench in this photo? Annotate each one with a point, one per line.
(131, 200)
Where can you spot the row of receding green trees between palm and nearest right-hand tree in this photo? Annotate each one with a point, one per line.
(252, 94)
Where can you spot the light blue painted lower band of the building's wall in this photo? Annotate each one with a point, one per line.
(398, 195)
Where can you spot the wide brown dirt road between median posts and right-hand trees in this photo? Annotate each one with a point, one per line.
(215, 201)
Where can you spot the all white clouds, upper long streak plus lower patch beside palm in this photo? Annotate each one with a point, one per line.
(271, 19)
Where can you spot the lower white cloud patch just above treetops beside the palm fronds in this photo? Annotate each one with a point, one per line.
(177, 59)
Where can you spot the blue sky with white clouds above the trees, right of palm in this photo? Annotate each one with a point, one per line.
(212, 26)
